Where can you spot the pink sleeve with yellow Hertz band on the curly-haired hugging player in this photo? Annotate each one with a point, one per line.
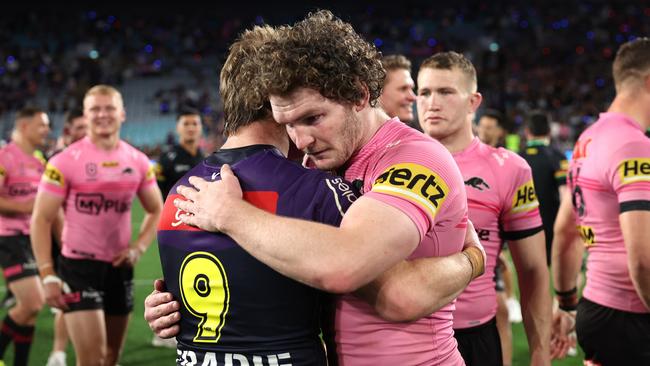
(420, 180)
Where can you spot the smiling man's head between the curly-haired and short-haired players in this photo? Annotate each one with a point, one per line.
(397, 97)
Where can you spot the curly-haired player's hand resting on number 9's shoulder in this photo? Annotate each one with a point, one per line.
(207, 204)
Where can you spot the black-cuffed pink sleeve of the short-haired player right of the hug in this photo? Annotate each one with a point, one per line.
(520, 216)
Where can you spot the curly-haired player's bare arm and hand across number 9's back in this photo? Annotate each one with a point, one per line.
(373, 236)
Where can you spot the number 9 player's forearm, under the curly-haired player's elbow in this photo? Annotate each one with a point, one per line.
(414, 289)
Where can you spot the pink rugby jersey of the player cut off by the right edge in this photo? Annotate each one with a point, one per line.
(609, 175)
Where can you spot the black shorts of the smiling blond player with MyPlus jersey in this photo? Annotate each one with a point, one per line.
(97, 285)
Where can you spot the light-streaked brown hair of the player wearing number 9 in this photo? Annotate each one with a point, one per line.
(244, 102)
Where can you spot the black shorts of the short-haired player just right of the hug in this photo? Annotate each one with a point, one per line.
(480, 345)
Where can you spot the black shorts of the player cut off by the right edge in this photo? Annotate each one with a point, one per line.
(613, 337)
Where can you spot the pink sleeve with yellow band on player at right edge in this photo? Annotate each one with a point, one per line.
(629, 175)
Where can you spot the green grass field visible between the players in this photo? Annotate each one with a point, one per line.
(138, 349)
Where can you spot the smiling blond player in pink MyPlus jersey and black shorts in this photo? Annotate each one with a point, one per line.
(96, 180)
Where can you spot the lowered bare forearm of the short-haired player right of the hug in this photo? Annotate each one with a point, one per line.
(537, 313)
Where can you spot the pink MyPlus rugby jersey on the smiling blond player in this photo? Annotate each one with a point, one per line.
(99, 187)
